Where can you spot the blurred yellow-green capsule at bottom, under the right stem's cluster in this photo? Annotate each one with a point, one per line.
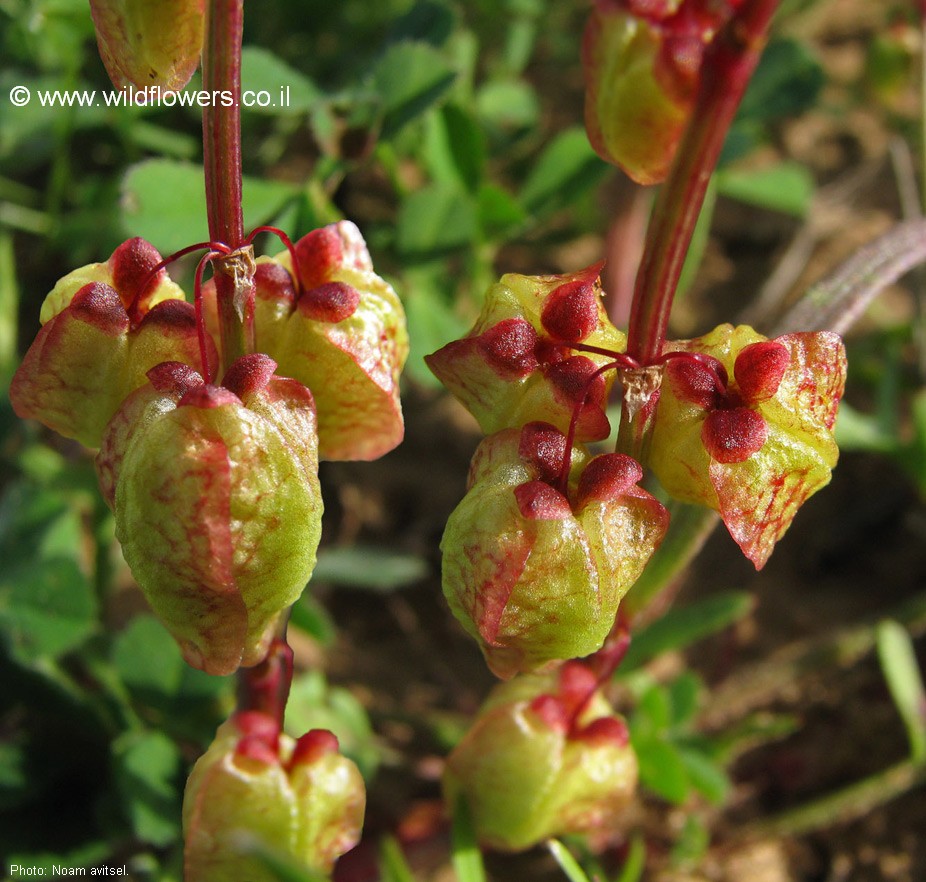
(546, 756)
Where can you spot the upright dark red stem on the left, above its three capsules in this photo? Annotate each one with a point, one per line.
(233, 273)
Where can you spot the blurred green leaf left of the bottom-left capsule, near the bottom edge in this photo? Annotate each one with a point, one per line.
(147, 767)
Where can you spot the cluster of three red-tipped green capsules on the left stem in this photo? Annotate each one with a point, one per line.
(213, 481)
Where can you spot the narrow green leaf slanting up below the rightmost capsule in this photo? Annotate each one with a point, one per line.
(683, 626)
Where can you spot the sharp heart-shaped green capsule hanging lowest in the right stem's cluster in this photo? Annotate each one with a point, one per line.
(534, 570)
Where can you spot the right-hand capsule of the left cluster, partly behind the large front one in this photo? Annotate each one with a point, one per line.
(338, 328)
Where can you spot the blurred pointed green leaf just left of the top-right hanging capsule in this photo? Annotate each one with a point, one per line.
(566, 167)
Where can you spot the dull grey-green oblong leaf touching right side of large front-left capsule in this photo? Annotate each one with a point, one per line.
(365, 566)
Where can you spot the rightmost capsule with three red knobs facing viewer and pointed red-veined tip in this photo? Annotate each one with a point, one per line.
(756, 446)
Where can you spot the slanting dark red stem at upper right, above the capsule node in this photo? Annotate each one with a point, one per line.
(728, 64)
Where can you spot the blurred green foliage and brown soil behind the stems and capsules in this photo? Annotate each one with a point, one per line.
(452, 134)
